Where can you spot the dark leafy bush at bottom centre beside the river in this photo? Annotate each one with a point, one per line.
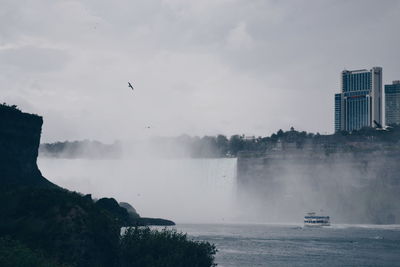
(143, 247)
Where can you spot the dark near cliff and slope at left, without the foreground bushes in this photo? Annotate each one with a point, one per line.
(65, 226)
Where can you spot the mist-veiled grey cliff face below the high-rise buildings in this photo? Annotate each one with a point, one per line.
(348, 188)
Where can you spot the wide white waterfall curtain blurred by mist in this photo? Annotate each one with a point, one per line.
(184, 190)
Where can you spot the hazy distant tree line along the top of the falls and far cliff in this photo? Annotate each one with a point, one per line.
(365, 139)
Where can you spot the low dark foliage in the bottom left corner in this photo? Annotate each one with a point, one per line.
(15, 254)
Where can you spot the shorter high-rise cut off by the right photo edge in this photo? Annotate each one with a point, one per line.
(392, 103)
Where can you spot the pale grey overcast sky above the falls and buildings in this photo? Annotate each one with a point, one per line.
(198, 67)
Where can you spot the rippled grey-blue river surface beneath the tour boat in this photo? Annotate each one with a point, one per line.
(294, 245)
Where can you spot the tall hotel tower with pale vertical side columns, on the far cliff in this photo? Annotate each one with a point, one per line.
(359, 103)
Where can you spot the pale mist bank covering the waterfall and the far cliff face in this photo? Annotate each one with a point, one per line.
(161, 179)
